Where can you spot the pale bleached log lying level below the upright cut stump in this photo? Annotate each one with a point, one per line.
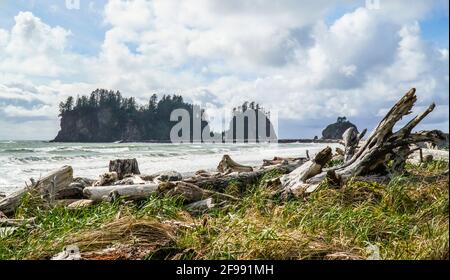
(131, 192)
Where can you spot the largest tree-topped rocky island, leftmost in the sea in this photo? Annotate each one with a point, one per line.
(106, 116)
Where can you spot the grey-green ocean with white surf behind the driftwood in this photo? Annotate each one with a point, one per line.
(22, 160)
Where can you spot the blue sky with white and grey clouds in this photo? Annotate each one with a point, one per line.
(308, 62)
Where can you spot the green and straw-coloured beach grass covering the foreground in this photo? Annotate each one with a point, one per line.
(407, 218)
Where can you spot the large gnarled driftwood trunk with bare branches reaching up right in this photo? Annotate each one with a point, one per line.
(378, 149)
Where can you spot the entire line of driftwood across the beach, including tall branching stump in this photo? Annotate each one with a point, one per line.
(366, 159)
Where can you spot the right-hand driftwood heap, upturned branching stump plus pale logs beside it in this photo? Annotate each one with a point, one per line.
(366, 159)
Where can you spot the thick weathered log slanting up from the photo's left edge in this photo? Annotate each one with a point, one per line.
(48, 187)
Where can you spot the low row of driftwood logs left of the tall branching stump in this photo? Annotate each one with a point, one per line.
(125, 181)
